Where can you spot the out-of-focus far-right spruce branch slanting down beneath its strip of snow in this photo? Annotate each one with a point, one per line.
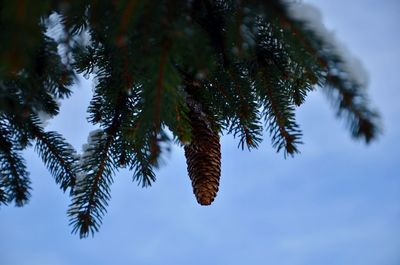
(347, 95)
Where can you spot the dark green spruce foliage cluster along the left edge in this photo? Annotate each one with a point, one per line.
(31, 82)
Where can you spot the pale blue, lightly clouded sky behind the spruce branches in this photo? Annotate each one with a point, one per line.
(336, 203)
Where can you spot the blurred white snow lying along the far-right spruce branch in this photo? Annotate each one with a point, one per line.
(312, 17)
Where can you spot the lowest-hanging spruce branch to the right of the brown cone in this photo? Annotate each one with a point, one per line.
(272, 66)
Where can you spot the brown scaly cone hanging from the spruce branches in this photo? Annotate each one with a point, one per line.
(203, 155)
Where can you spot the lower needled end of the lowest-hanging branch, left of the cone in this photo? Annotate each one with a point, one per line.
(92, 190)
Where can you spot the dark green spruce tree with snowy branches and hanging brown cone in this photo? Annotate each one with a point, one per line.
(165, 72)
